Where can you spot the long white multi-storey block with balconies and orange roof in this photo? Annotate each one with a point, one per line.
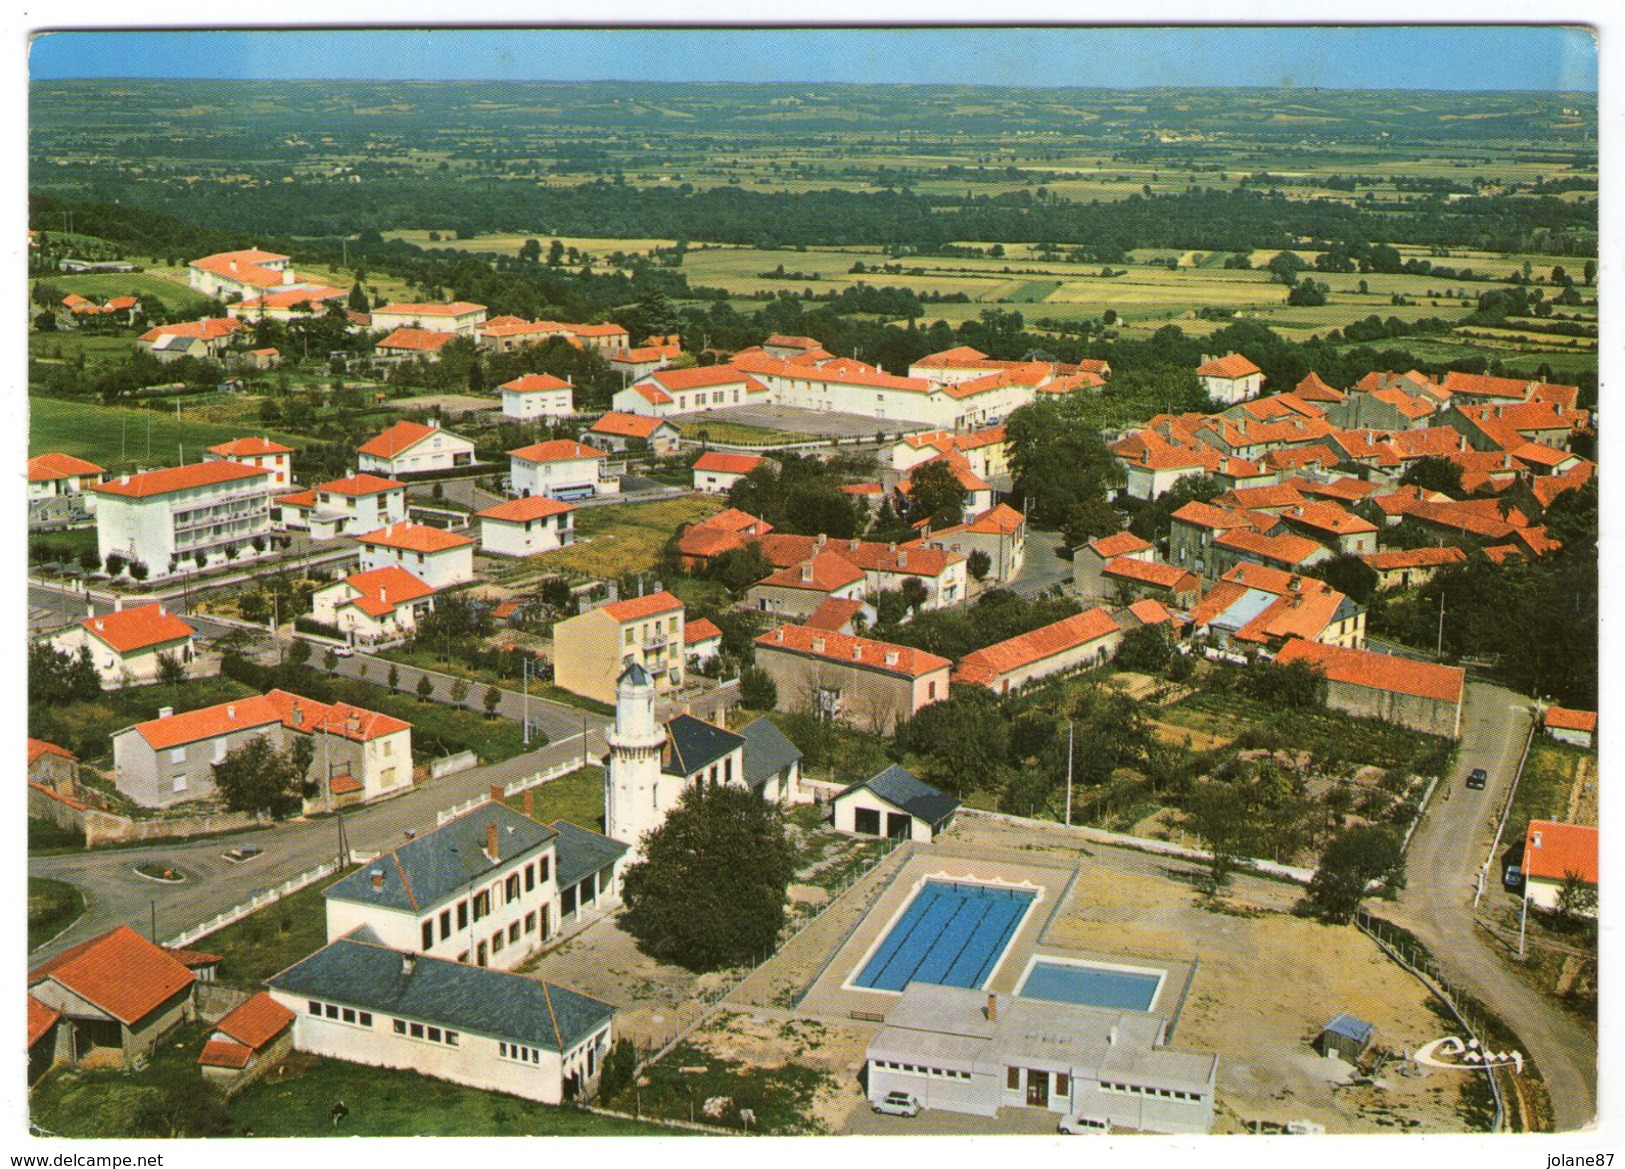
(184, 516)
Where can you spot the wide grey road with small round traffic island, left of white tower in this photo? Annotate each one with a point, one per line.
(115, 895)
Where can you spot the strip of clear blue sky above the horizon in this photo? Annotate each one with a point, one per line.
(1431, 58)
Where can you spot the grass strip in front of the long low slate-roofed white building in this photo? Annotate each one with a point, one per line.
(389, 1103)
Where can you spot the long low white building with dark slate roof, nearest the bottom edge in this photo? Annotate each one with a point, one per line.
(362, 1001)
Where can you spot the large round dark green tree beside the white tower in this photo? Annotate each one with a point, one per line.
(711, 889)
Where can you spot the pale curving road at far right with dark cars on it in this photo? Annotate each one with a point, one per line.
(1437, 905)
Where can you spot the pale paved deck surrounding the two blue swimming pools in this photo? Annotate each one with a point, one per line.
(1055, 884)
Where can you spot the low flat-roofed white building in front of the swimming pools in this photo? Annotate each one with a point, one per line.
(969, 1051)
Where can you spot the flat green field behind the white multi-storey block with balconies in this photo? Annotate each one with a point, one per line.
(119, 438)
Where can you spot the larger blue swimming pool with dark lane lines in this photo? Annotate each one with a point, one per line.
(951, 934)
